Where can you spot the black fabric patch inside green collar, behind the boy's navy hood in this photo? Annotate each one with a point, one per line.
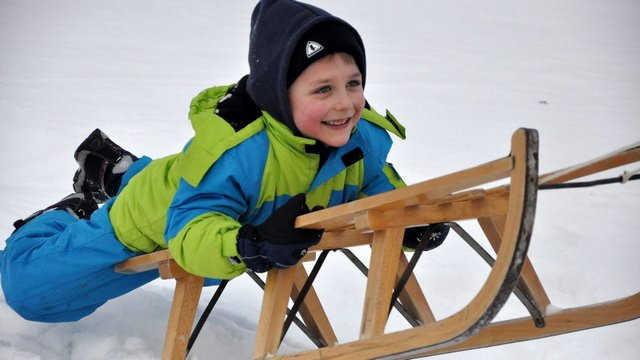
(237, 107)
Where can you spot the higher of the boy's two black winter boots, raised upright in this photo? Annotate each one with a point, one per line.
(102, 164)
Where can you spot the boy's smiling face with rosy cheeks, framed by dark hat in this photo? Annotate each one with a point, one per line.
(327, 99)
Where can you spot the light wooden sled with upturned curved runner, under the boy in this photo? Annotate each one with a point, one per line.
(505, 214)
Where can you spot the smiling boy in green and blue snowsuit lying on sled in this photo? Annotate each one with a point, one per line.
(294, 134)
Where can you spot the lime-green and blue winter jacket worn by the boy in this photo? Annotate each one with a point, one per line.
(194, 202)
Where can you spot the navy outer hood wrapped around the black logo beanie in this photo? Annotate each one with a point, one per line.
(276, 28)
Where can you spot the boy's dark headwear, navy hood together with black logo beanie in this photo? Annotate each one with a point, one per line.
(286, 37)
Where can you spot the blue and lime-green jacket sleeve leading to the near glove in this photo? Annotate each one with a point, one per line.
(203, 221)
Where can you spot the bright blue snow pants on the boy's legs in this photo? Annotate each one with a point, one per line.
(57, 268)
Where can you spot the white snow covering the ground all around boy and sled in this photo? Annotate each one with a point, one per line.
(460, 75)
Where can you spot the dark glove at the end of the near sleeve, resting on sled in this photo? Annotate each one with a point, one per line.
(275, 242)
